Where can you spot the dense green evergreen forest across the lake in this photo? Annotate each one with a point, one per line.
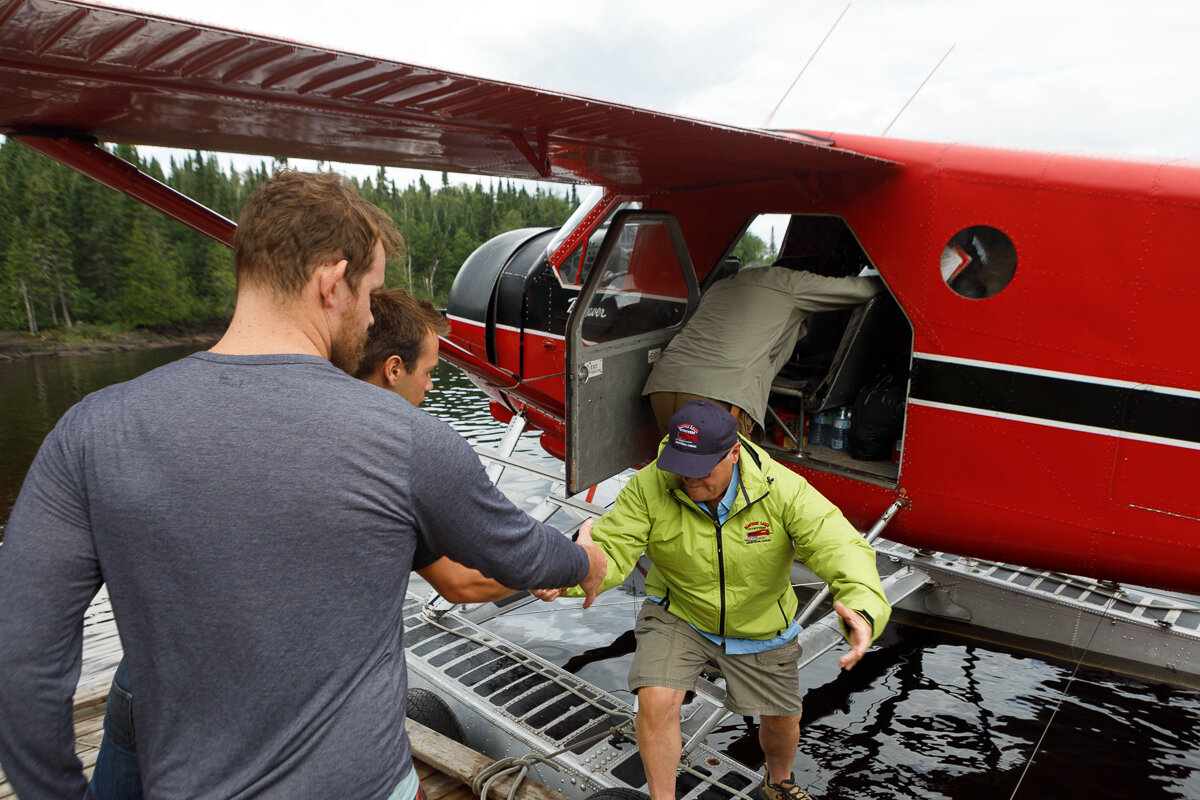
(75, 252)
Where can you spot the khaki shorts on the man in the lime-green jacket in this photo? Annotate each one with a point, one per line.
(673, 654)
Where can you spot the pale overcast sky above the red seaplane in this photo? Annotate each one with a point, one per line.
(1067, 76)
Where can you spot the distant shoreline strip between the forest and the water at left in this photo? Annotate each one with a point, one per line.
(16, 346)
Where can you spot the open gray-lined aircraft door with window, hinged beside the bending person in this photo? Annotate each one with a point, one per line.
(634, 302)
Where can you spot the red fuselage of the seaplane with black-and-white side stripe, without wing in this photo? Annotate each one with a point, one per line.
(1055, 424)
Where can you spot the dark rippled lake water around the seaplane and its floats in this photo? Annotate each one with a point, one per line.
(925, 715)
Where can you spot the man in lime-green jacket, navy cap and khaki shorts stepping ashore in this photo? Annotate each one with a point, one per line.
(722, 524)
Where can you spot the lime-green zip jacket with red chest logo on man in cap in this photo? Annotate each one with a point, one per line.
(734, 580)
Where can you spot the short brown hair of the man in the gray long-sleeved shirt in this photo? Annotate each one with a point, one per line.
(296, 222)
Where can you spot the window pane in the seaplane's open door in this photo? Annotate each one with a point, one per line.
(643, 287)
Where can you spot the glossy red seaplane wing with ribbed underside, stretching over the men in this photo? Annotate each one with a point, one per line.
(83, 70)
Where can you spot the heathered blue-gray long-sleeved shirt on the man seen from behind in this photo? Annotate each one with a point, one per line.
(256, 520)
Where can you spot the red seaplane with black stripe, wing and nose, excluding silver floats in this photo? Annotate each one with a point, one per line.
(1036, 308)
